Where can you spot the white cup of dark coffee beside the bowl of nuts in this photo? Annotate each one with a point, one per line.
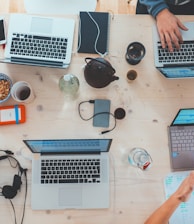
(22, 92)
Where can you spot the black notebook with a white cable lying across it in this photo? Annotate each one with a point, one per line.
(88, 32)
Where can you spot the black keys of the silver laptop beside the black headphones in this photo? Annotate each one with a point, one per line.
(70, 171)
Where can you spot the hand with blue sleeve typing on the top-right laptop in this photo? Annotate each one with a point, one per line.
(169, 29)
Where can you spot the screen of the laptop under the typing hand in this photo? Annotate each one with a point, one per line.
(177, 72)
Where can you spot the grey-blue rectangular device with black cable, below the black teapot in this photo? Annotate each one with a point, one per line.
(101, 113)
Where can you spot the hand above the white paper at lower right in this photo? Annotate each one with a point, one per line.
(185, 189)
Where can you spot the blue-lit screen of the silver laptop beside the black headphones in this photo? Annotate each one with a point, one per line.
(69, 145)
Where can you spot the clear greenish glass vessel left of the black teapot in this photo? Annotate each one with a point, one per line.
(69, 85)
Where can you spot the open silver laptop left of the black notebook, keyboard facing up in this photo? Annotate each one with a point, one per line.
(41, 41)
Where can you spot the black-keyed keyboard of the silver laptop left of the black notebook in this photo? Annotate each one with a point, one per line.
(38, 46)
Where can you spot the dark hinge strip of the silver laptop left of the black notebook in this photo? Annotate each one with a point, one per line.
(36, 62)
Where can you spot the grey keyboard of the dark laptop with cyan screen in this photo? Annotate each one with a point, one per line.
(182, 139)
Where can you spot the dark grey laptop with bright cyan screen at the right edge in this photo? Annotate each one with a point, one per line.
(181, 140)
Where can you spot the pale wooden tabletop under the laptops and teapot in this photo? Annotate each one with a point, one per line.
(150, 102)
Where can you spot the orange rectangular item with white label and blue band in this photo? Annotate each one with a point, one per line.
(14, 114)
